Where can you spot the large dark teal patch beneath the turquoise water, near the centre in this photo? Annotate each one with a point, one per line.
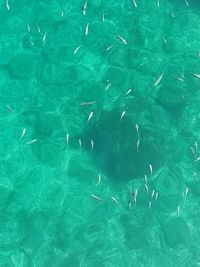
(115, 147)
